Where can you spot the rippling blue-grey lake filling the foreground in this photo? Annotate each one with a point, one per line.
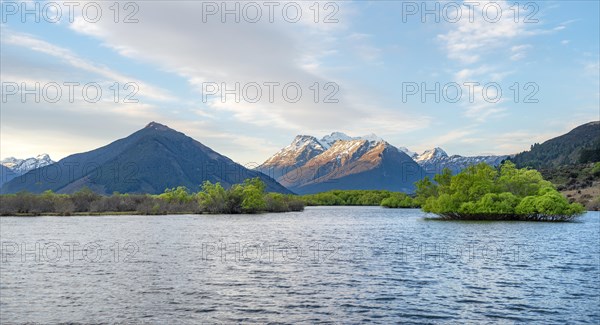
(326, 264)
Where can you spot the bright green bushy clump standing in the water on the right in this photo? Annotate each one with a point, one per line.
(482, 192)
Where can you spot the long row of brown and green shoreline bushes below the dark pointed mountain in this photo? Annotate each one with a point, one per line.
(248, 197)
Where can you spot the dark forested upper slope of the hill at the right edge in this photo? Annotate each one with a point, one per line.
(582, 144)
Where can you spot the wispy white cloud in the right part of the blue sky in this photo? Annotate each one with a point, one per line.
(480, 49)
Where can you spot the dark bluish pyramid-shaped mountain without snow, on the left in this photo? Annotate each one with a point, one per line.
(148, 161)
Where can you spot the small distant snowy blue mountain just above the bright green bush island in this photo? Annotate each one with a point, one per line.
(433, 161)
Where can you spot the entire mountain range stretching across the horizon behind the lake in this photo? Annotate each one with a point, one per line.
(157, 157)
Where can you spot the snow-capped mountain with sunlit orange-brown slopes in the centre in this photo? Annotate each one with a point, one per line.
(339, 161)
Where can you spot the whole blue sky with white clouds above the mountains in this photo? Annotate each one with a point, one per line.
(245, 78)
